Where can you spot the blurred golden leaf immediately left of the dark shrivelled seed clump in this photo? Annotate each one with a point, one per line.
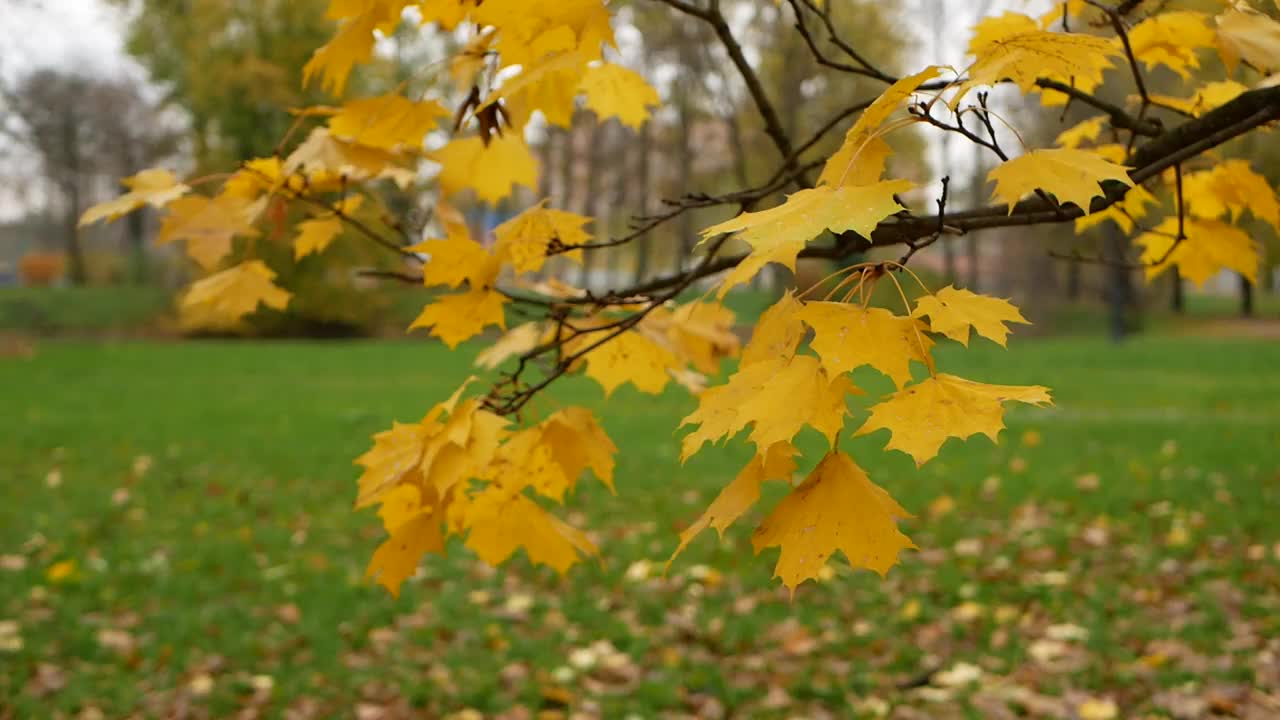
(387, 122)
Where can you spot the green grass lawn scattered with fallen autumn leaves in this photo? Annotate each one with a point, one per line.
(1123, 545)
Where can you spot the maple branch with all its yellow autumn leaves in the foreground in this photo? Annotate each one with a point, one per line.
(477, 468)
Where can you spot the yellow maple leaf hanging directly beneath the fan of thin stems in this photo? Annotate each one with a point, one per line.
(852, 336)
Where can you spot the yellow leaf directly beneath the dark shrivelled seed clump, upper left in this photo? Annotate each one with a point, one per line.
(492, 172)
